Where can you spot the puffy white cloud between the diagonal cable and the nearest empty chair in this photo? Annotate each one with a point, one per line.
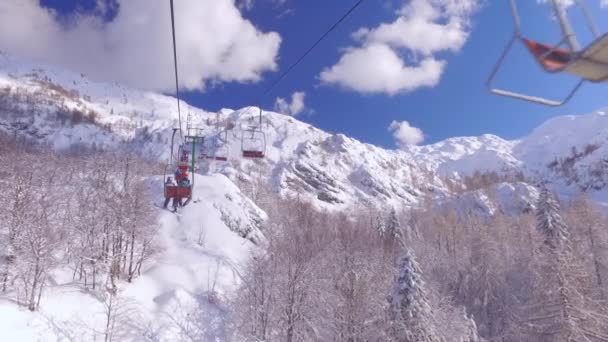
(422, 29)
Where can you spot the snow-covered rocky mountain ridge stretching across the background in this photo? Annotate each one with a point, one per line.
(67, 110)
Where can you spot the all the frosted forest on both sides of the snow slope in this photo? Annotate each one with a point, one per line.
(429, 273)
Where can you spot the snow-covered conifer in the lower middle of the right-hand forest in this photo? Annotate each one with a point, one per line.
(411, 316)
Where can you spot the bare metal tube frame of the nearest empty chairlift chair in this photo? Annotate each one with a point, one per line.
(568, 37)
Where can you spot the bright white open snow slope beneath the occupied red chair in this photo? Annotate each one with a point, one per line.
(189, 275)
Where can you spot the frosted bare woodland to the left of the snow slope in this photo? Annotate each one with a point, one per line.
(87, 211)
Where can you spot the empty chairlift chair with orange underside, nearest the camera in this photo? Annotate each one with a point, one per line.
(589, 64)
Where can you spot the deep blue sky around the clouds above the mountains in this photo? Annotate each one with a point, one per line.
(458, 104)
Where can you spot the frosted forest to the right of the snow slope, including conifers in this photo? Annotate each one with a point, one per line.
(429, 274)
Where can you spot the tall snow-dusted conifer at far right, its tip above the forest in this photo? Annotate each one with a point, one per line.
(561, 309)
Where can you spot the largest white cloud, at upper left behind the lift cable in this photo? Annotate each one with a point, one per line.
(215, 43)
